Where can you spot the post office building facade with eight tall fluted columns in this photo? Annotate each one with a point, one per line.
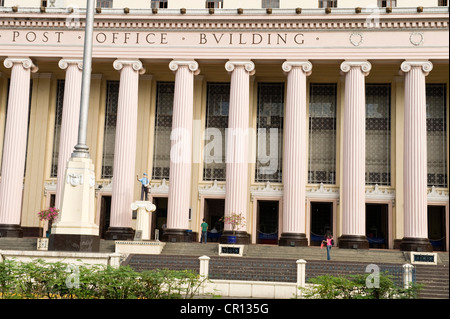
(303, 116)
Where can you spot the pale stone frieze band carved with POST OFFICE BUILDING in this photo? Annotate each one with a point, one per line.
(220, 40)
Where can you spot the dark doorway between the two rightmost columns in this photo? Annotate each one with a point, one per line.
(377, 225)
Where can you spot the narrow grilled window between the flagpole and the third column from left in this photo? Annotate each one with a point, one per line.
(109, 137)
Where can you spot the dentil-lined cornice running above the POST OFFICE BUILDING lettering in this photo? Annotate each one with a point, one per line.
(229, 22)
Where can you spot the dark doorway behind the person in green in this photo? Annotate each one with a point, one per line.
(214, 210)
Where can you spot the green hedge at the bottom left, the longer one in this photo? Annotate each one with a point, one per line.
(40, 279)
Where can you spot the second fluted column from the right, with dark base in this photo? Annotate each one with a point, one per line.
(353, 180)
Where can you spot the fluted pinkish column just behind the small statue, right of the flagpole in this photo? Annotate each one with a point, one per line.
(125, 150)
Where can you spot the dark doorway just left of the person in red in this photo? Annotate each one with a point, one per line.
(321, 221)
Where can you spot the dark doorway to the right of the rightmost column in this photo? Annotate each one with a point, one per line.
(436, 227)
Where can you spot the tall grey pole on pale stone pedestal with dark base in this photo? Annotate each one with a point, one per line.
(76, 229)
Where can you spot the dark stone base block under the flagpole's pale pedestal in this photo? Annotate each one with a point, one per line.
(66, 242)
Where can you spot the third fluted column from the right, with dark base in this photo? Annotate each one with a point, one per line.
(294, 155)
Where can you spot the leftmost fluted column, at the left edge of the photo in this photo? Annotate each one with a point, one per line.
(14, 149)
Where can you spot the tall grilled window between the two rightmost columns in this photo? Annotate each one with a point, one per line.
(378, 134)
